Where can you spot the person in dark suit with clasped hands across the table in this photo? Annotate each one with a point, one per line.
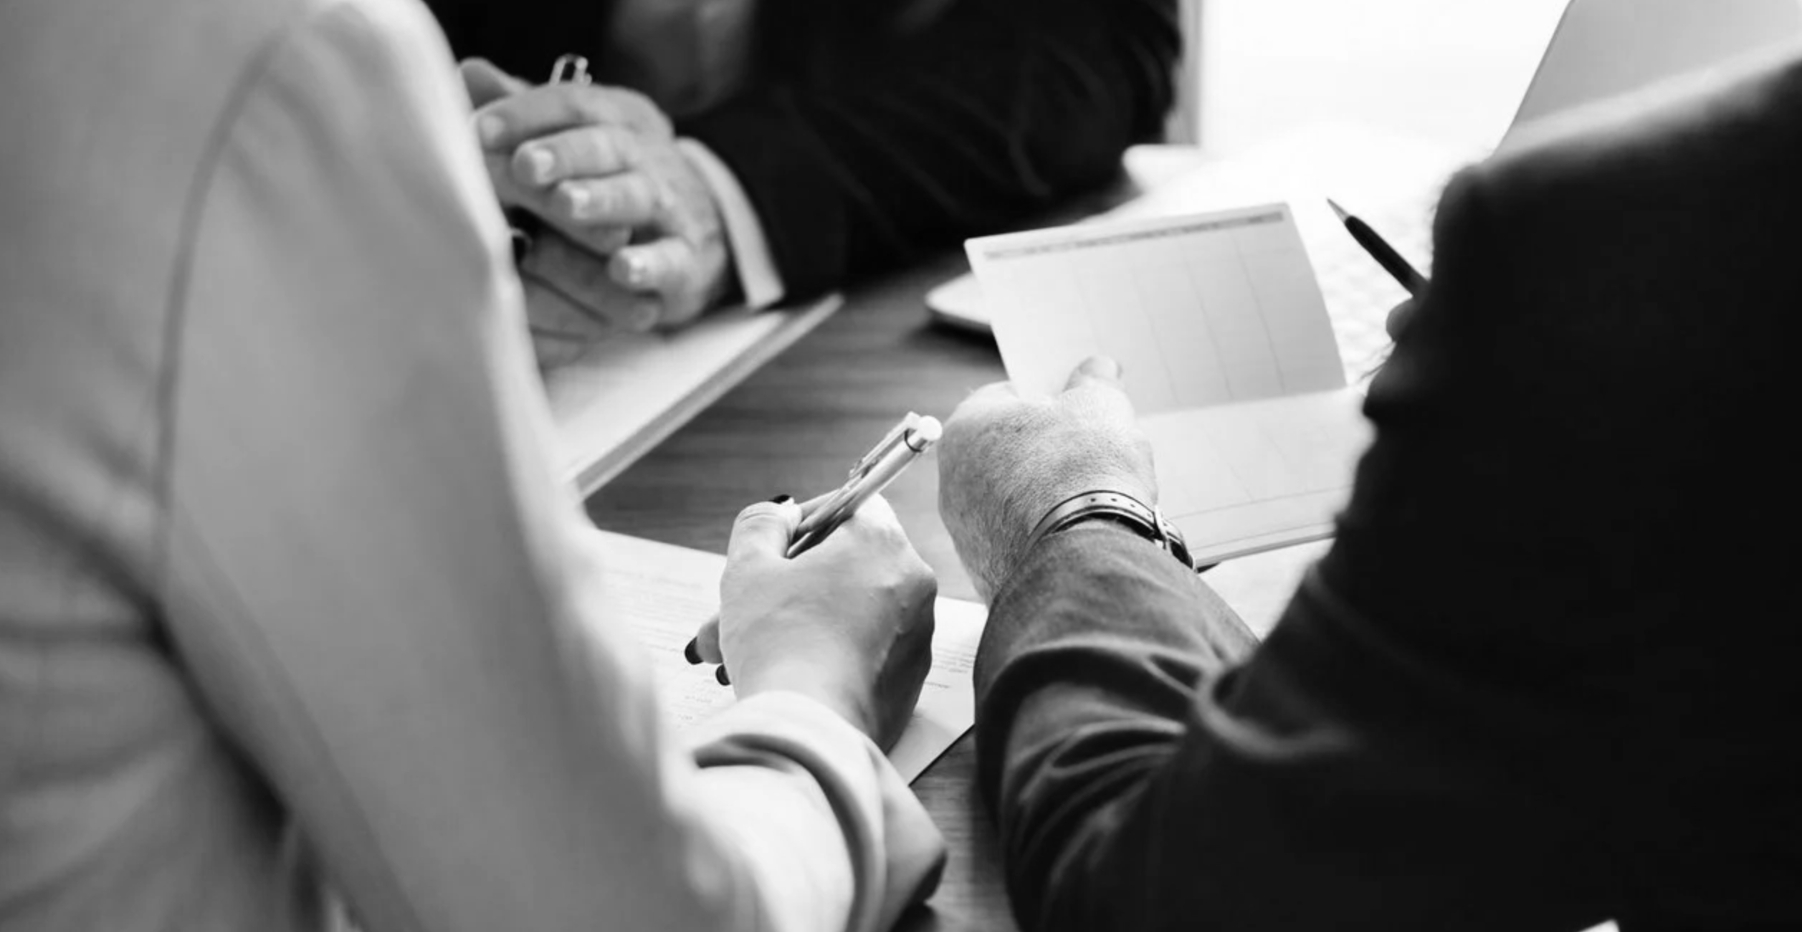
(769, 151)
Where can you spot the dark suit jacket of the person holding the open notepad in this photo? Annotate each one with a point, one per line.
(1549, 672)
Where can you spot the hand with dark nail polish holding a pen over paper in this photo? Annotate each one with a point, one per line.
(848, 623)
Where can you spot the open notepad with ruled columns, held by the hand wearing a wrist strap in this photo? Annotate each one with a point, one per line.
(1228, 351)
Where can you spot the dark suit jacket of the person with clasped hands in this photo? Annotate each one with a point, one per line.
(873, 136)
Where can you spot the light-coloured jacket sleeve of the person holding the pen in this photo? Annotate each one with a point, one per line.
(378, 583)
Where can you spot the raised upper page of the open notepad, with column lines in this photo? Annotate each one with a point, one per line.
(1199, 311)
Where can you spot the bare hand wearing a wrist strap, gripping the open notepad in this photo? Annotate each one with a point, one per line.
(1005, 462)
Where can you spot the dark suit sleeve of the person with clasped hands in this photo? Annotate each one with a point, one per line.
(996, 111)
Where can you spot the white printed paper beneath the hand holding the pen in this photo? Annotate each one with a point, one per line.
(668, 592)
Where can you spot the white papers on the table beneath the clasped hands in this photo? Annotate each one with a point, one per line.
(630, 392)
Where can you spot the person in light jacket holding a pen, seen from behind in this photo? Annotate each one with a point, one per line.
(284, 556)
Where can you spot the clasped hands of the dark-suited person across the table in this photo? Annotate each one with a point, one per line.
(601, 167)
